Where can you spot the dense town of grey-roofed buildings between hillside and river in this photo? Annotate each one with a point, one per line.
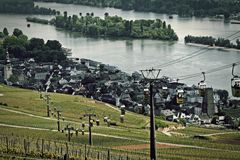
(107, 83)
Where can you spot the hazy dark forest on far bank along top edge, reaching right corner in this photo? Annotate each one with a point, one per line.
(181, 7)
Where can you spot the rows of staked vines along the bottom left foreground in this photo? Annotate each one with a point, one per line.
(57, 150)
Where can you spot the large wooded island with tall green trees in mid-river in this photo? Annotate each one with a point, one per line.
(115, 27)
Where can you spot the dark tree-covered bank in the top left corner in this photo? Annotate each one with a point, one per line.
(24, 7)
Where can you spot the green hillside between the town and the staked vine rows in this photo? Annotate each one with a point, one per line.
(31, 112)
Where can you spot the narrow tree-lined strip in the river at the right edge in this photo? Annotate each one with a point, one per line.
(208, 40)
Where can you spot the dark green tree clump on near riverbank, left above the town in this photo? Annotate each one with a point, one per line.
(20, 47)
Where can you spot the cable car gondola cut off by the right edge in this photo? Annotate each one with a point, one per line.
(235, 83)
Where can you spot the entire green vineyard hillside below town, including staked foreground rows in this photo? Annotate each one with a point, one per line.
(23, 117)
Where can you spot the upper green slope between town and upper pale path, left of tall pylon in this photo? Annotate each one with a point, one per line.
(72, 107)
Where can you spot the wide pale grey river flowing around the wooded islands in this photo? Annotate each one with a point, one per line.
(133, 55)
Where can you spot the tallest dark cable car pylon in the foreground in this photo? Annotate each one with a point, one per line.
(151, 75)
